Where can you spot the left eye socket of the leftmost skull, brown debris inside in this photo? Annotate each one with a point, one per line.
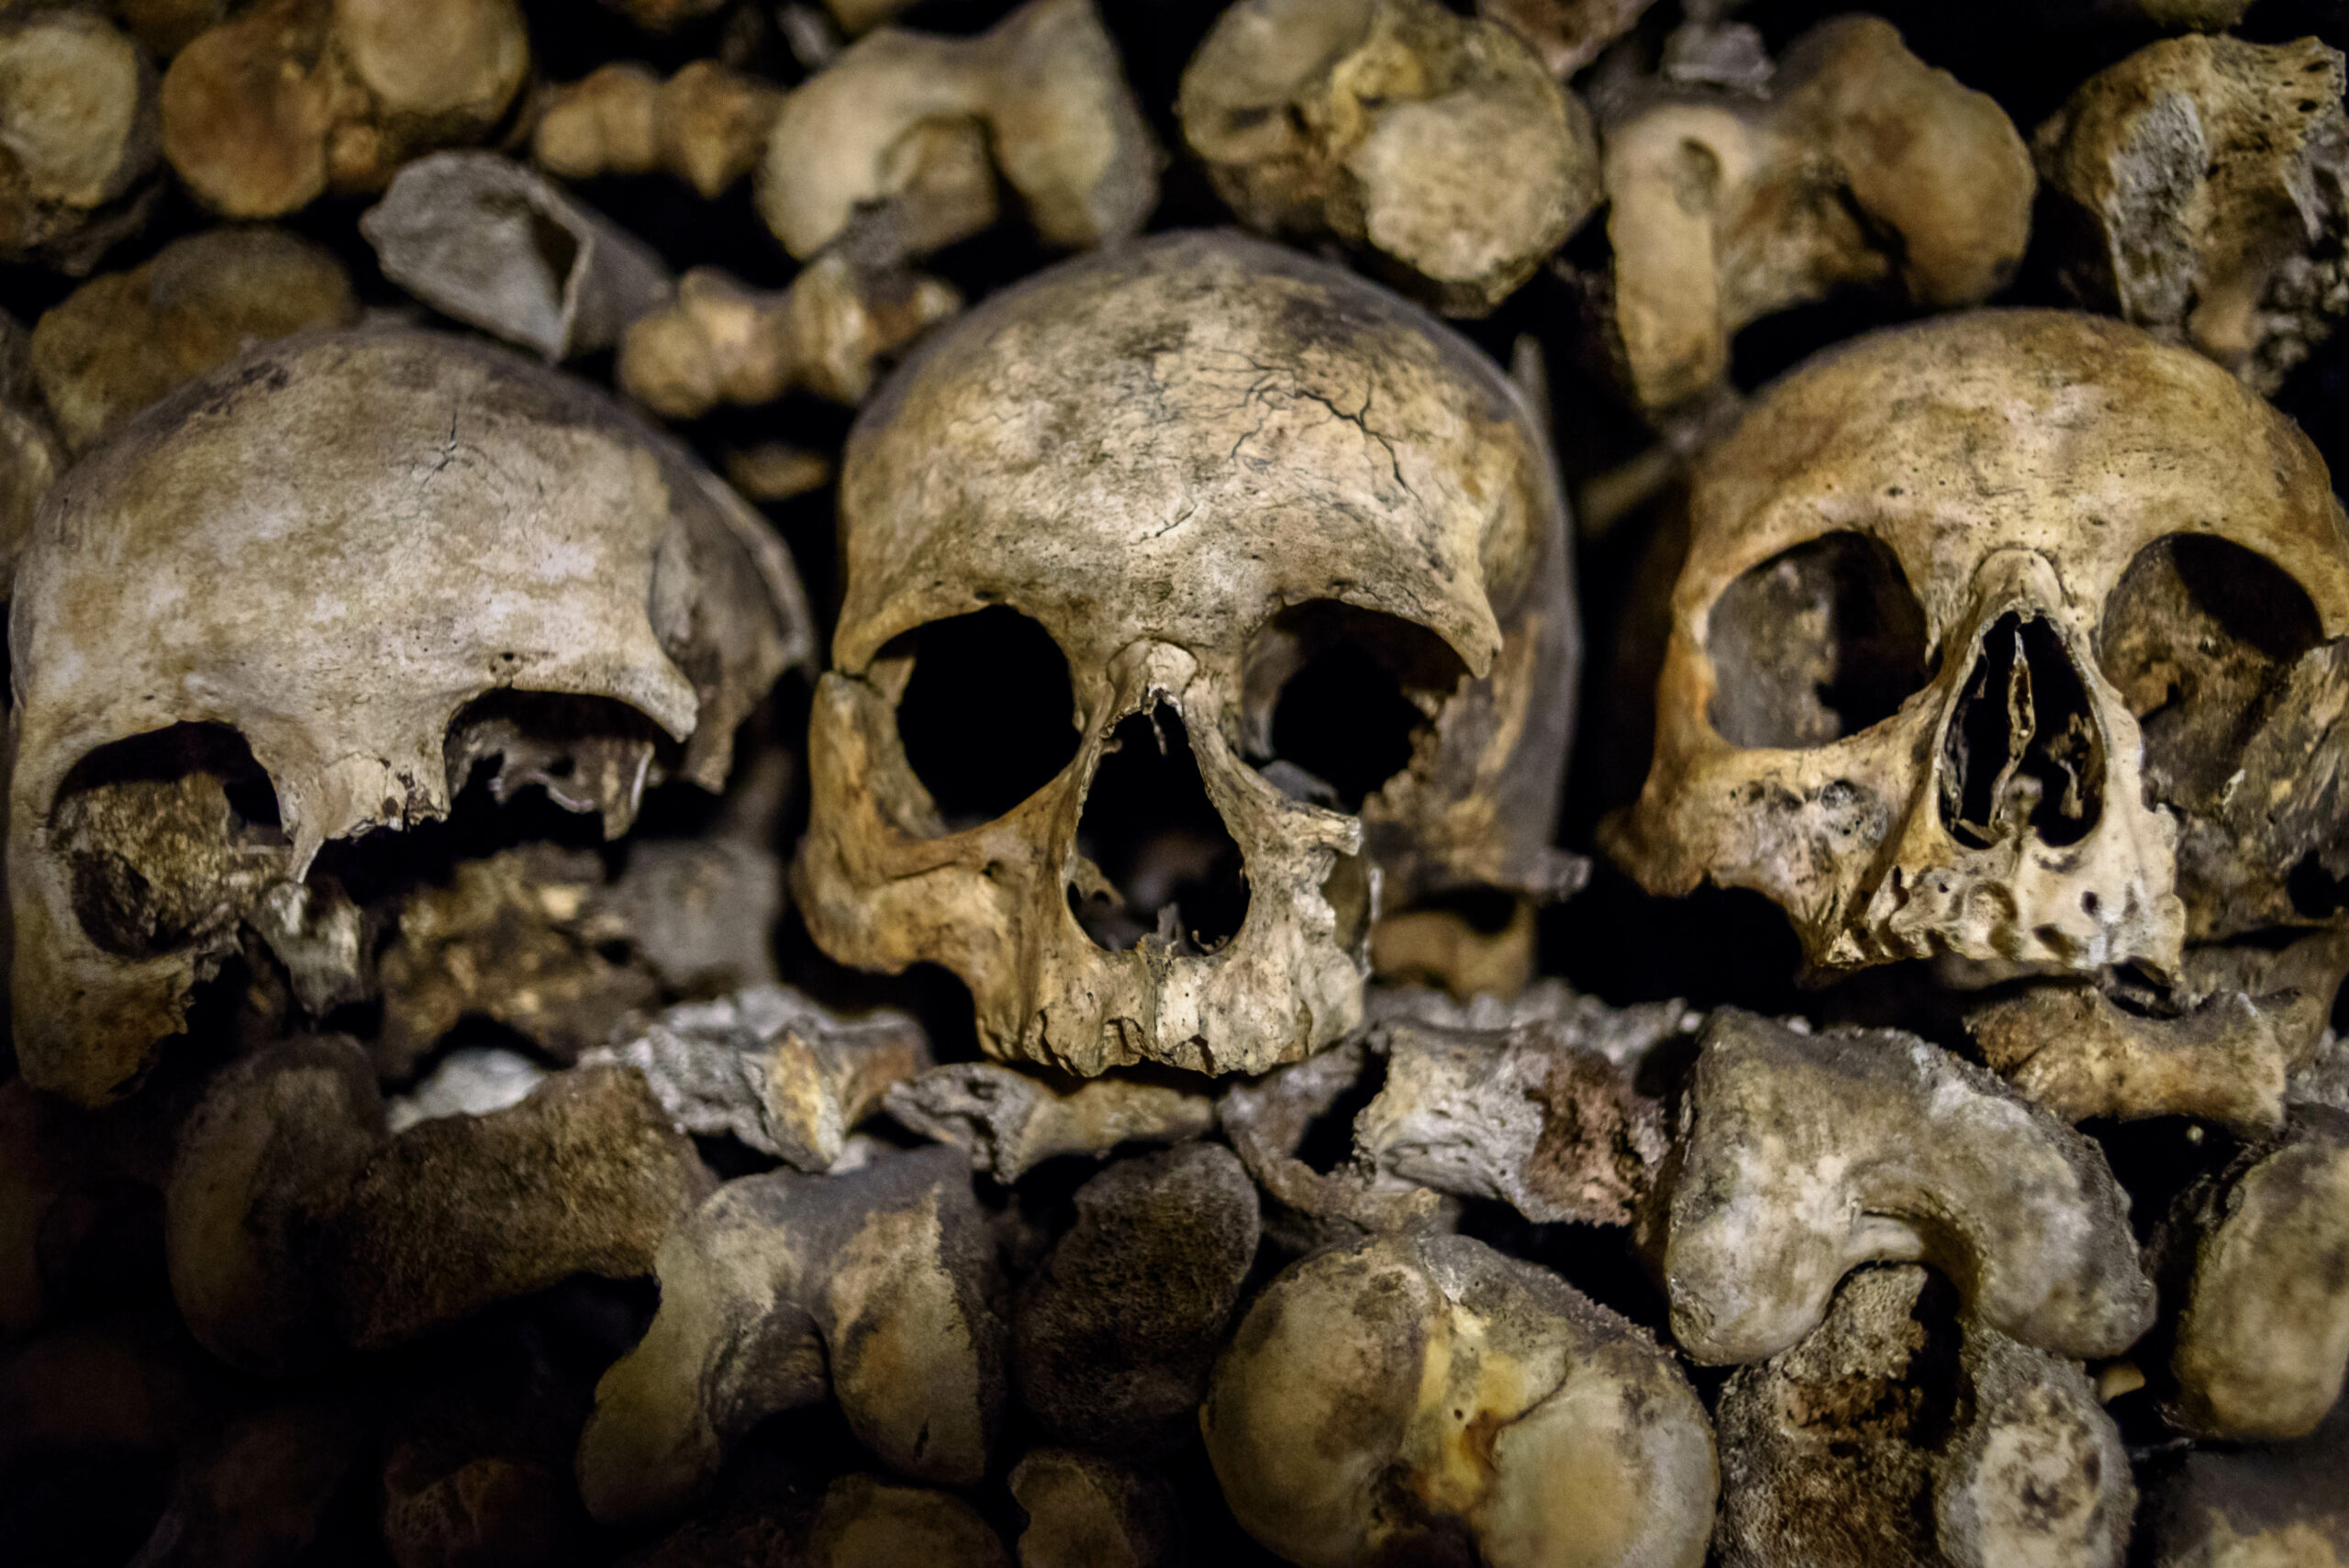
(168, 839)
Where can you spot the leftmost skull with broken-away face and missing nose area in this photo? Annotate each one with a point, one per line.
(299, 600)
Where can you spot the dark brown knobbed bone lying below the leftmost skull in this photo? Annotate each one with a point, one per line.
(297, 1229)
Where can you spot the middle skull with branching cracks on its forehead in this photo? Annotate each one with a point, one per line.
(1206, 480)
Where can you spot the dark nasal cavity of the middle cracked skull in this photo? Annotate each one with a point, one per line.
(1150, 827)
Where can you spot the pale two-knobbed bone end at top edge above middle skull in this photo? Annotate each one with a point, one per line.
(903, 135)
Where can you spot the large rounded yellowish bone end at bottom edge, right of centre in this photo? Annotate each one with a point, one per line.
(1389, 1398)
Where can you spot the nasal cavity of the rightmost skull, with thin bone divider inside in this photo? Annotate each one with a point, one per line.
(2024, 750)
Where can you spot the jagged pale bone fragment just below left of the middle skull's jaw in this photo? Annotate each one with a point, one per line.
(774, 1069)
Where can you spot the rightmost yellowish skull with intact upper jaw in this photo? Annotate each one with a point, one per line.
(1974, 635)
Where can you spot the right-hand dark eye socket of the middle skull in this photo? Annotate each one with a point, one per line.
(1335, 698)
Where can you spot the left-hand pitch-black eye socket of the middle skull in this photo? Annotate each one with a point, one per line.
(988, 715)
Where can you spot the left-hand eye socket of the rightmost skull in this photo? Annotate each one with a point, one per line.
(1815, 644)
